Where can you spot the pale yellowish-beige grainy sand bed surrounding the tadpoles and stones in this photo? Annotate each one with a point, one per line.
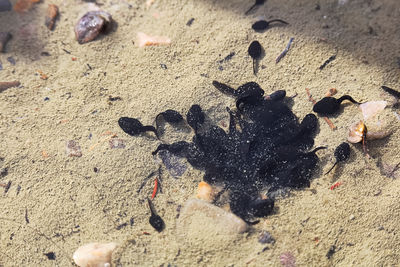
(67, 204)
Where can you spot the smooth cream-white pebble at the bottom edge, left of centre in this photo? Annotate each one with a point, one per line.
(94, 255)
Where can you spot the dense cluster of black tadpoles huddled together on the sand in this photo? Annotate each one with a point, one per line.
(265, 148)
